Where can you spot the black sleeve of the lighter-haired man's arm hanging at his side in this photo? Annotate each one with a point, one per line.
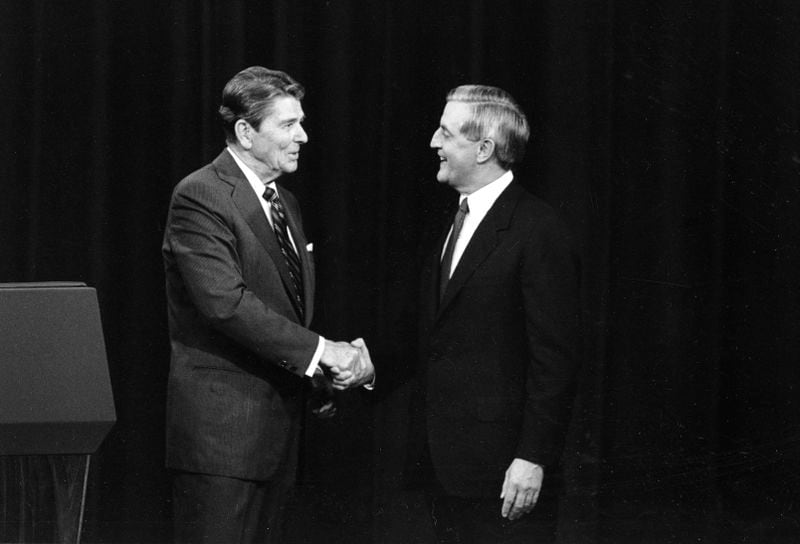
(550, 280)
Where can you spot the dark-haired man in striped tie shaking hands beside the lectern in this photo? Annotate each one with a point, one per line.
(240, 288)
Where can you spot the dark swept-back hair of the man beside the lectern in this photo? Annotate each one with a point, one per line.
(250, 95)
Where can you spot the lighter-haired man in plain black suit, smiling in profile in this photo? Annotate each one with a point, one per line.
(499, 333)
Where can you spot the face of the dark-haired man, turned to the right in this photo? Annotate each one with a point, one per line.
(275, 146)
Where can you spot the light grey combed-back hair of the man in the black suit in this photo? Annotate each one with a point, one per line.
(495, 115)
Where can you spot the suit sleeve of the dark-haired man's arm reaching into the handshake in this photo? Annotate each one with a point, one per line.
(204, 249)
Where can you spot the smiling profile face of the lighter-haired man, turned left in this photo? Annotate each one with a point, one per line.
(457, 155)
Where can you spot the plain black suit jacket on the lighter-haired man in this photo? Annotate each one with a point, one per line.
(499, 354)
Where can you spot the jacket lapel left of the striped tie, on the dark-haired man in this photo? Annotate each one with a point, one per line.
(248, 204)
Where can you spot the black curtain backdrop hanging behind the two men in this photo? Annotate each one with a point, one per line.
(666, 132)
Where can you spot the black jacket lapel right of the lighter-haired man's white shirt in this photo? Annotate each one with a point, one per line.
(483, 242)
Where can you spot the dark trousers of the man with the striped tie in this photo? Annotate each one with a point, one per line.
(216, 509)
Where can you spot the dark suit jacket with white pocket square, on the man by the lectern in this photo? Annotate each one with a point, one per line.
(240, 348)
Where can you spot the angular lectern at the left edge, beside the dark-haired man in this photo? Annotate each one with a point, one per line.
(55, 391)
